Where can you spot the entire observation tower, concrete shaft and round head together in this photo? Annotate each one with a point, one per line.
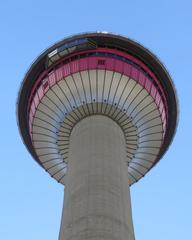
(97, 111)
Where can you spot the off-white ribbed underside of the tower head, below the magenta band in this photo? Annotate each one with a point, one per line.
(97, 92)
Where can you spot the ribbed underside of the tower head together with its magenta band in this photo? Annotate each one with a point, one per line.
(84, 87)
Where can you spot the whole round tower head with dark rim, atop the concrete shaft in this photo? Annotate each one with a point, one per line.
(91, 74)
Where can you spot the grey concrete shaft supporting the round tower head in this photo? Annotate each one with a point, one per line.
(97, 200)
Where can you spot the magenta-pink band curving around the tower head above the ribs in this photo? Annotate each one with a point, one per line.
(60, 70)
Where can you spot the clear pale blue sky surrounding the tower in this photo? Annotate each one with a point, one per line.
(30, 201)
